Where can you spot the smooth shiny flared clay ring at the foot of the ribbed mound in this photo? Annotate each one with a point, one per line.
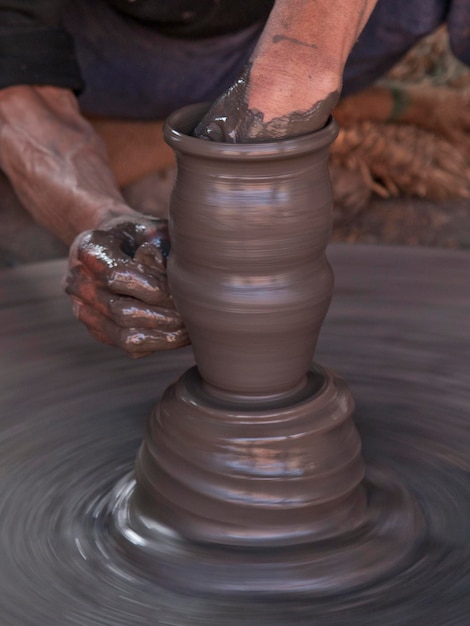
(389, 541)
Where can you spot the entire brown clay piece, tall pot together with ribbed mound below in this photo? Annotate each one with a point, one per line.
(254, 448)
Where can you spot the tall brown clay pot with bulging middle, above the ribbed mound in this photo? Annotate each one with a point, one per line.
(253, 310)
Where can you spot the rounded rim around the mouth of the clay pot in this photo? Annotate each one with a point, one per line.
(181, 123)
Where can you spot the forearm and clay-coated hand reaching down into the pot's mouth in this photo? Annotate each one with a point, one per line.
(294, 77)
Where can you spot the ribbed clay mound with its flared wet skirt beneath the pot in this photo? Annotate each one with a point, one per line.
(261, 498)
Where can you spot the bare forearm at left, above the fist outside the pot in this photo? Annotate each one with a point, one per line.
(55, 161)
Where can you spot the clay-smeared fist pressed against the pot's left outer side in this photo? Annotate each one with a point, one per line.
(117, 280)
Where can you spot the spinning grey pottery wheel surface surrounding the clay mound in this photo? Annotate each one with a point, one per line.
(72, 415)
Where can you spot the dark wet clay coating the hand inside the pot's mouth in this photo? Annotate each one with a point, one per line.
(230, 120)
